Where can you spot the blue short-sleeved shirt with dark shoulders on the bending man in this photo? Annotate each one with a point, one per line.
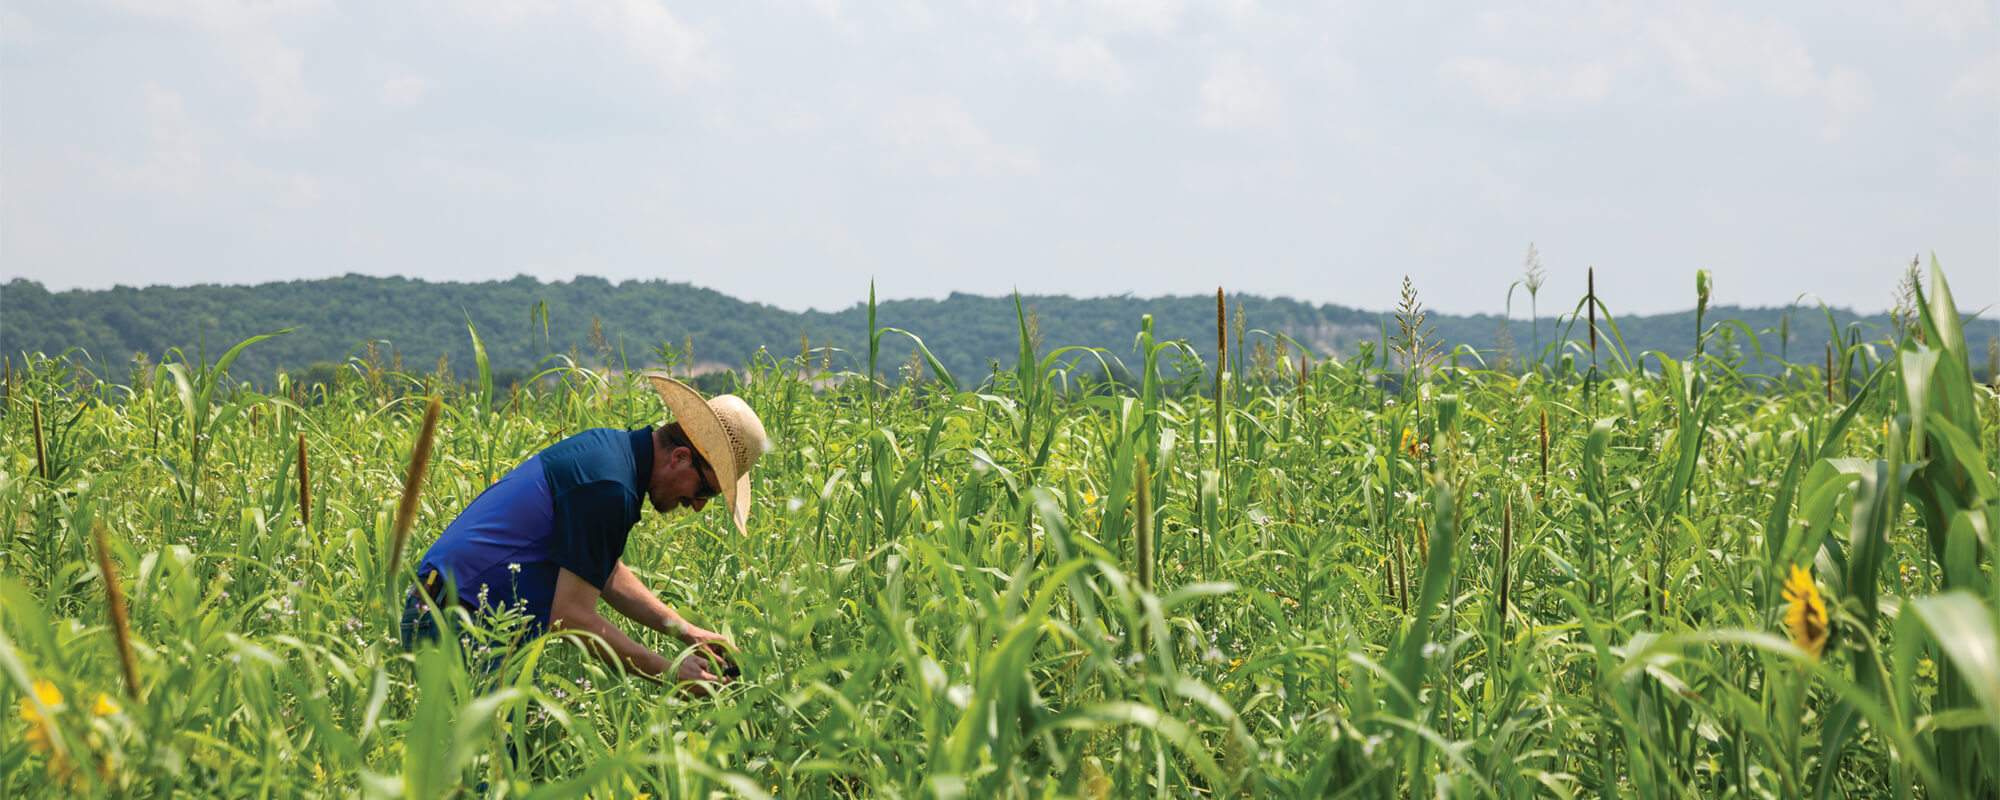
(563, 509)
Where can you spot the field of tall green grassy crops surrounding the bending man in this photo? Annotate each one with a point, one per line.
(1029, 585)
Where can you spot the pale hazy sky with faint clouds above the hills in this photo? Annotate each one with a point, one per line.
(791, 153)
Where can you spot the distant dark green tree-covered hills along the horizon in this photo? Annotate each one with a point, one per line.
(641, 323)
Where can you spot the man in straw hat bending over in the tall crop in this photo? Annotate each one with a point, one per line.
(549, 537)
